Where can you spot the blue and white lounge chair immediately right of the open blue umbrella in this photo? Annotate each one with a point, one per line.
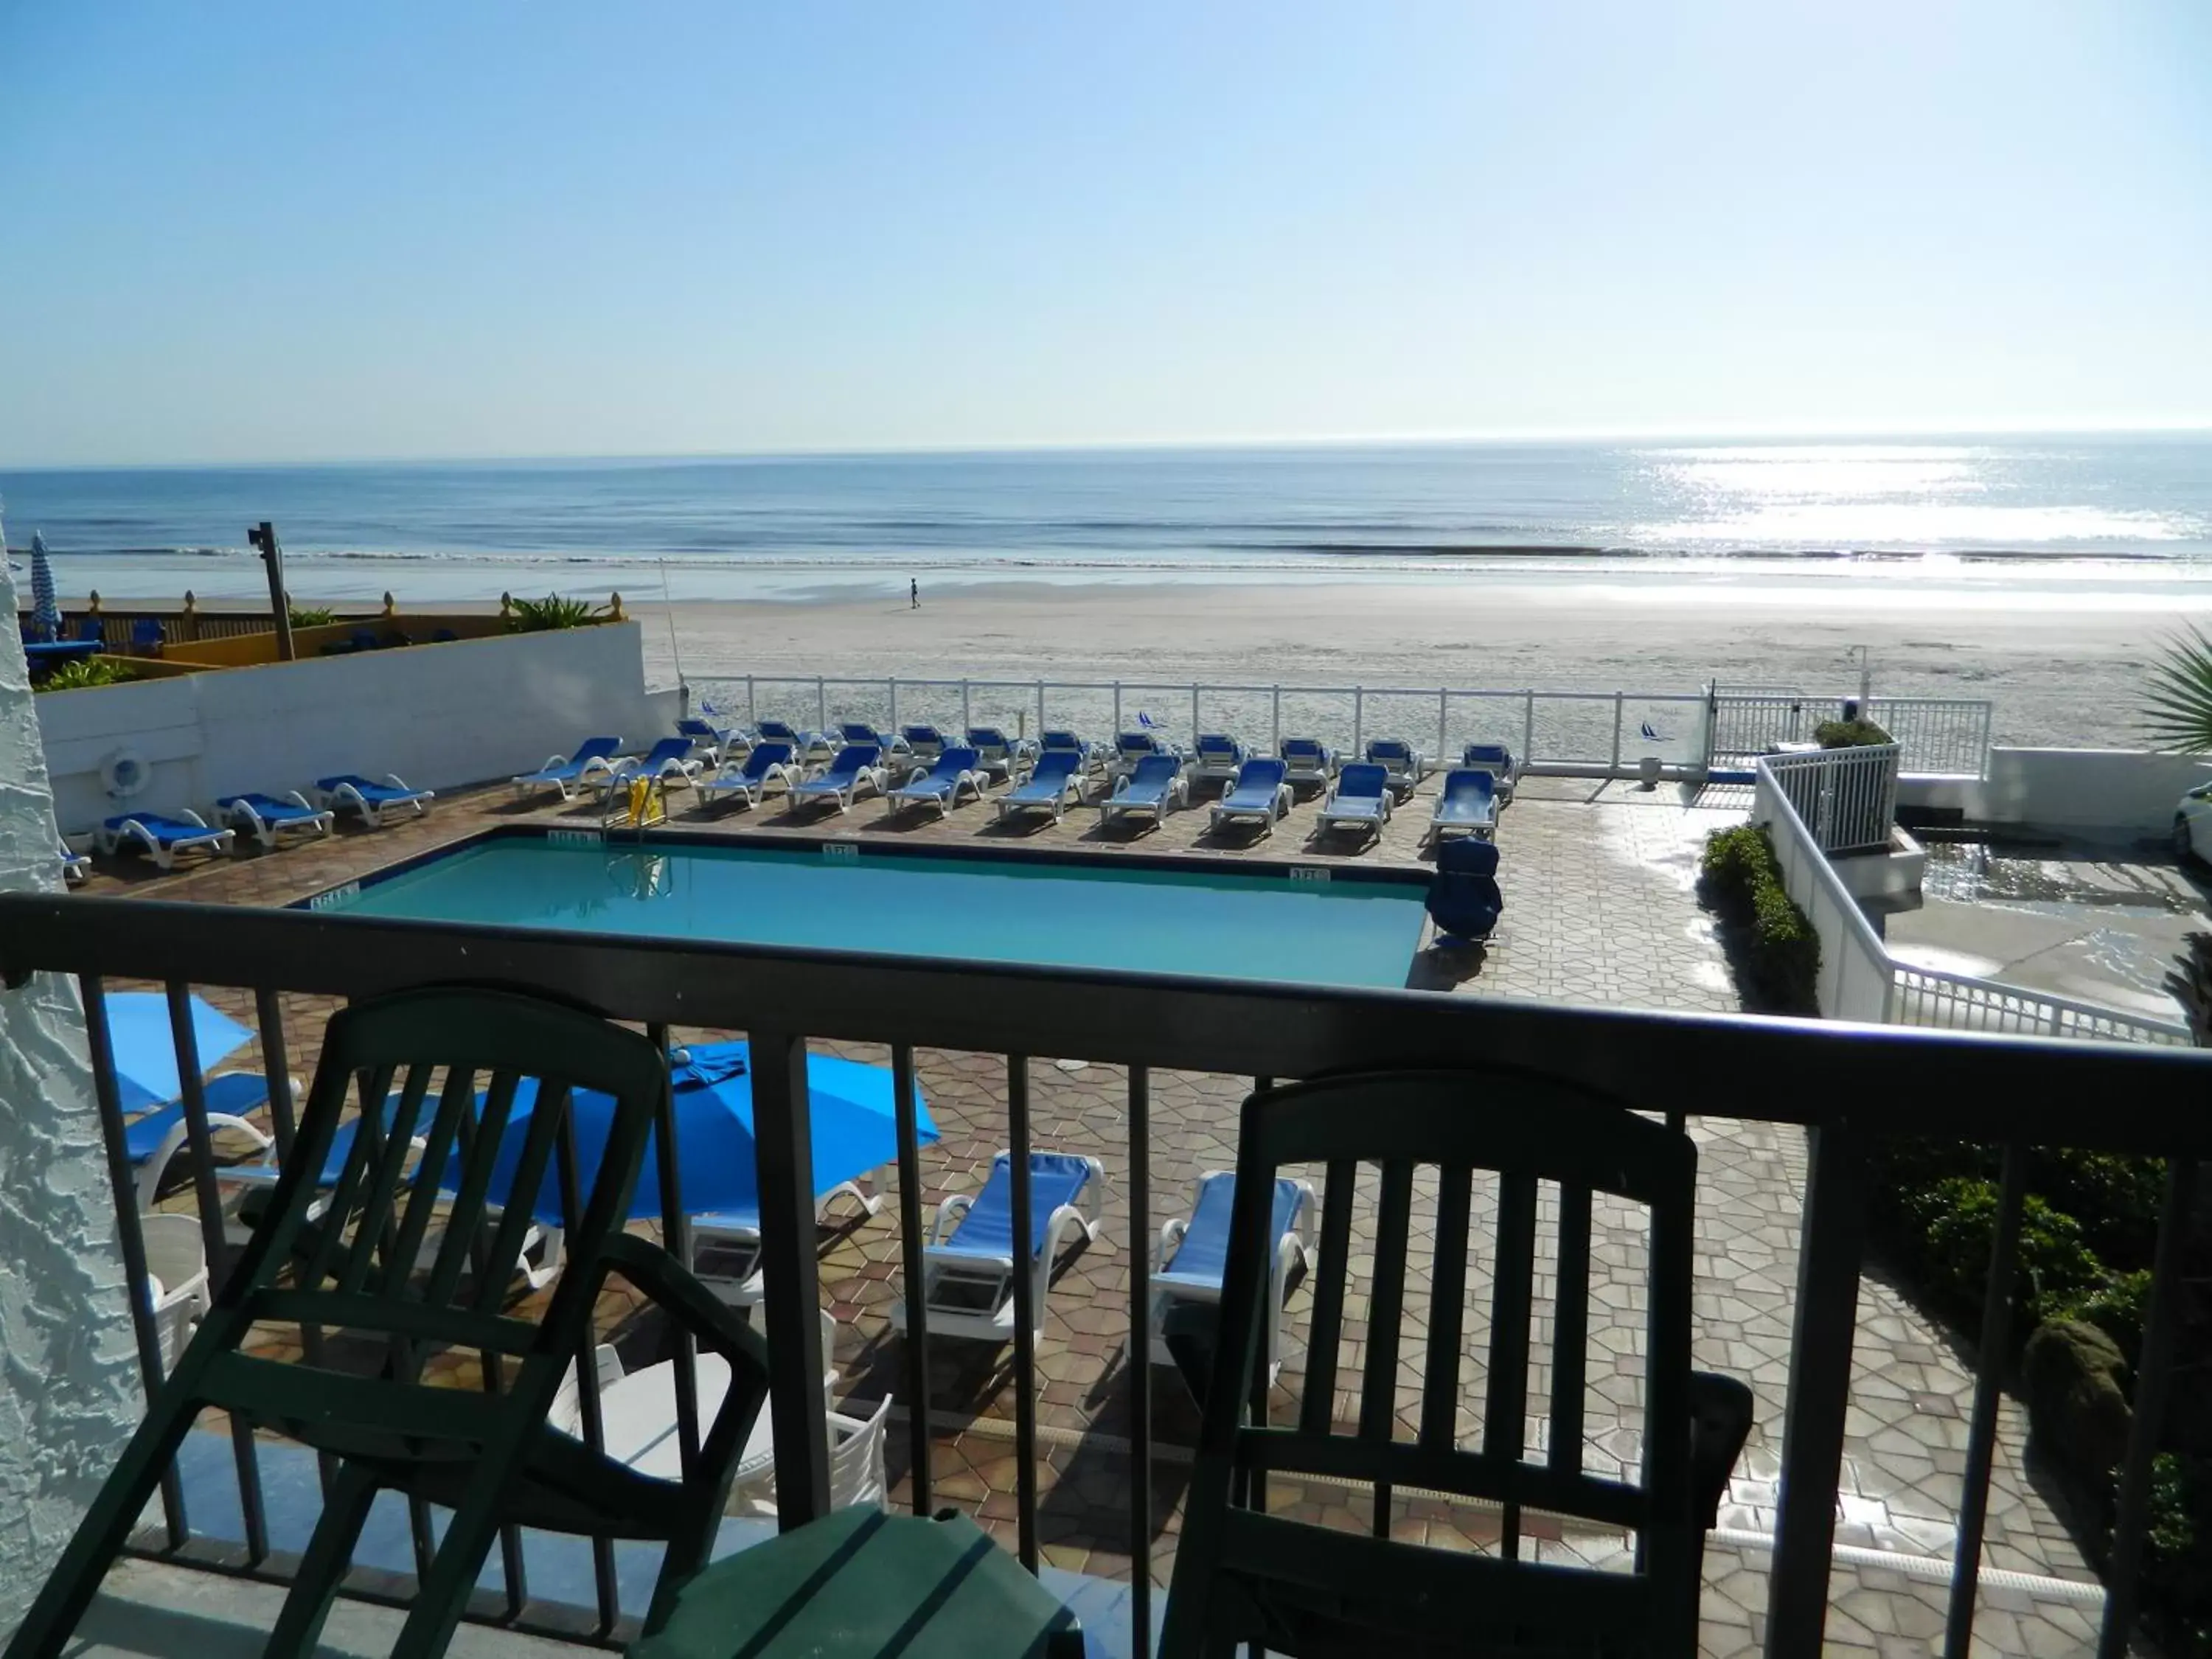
(972, 1271)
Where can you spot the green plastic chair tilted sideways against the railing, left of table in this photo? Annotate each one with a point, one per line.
(362, 1266)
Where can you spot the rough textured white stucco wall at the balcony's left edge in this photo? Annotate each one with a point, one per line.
(70, 1392)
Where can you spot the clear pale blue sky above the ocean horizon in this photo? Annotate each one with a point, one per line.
(322, 231)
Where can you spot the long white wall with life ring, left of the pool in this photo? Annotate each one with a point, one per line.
(437, 716)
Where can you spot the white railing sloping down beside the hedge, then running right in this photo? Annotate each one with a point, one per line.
(1861, 981)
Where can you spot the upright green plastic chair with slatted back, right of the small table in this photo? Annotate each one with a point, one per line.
(1302, 1589)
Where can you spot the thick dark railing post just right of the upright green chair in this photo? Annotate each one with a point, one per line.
(1830, 1242)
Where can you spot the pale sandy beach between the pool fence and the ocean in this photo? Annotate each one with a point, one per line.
(2056, 676)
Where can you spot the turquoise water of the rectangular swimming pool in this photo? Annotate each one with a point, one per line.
(1244, 926)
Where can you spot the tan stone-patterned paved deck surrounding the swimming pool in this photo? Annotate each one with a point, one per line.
(1600, 910)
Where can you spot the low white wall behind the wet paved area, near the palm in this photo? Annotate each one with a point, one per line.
(2087, 791)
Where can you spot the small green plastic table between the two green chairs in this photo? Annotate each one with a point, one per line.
(862, 1583)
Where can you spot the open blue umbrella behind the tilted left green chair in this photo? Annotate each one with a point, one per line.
(851, 1109)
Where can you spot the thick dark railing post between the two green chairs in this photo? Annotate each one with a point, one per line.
(791, 1302)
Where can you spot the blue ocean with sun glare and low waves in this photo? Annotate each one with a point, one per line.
(2056, 512)
